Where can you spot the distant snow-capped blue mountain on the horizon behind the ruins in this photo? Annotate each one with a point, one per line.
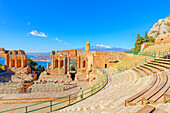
(101, 47)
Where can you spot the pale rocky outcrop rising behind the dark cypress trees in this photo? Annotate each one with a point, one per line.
(160, 29)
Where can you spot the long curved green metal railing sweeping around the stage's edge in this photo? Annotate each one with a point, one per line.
(62, 102)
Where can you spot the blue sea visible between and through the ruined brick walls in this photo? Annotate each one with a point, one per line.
(42, 63)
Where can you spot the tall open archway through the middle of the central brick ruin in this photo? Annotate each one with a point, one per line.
(73, 68)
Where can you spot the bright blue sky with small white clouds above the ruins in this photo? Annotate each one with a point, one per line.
(46, 25)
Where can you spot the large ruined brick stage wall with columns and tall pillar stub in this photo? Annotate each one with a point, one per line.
(87, 60)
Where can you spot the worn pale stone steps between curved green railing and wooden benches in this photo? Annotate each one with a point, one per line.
(122, 85)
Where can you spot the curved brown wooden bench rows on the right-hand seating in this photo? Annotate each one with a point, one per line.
(157, 88)
